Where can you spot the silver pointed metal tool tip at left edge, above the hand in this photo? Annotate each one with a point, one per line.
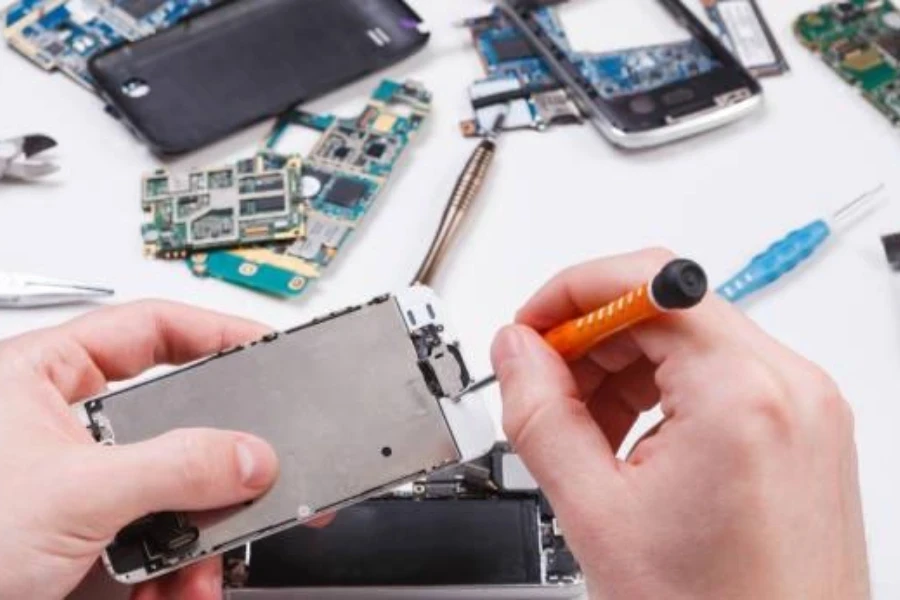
(18, 290)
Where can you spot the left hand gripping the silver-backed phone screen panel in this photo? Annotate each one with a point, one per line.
(64, 497)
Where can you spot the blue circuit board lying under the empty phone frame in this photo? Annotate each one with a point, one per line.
(520, 85)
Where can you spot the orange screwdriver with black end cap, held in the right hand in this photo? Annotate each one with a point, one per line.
(680, 285)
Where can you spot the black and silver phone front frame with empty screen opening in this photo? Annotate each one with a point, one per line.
(643, 72)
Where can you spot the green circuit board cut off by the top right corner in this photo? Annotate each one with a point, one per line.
(860, 41)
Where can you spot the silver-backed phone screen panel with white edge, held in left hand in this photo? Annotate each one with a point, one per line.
(354, 404)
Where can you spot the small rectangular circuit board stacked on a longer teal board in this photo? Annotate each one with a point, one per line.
(249, 203)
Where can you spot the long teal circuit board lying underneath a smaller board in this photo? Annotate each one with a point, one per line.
(339, 182)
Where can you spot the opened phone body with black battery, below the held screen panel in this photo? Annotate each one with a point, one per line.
(479, 530)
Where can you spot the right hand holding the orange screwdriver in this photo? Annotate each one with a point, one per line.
(749, 487)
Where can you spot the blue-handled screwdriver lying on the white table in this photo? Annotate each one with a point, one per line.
(796, 247)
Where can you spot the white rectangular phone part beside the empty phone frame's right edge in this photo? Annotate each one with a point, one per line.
(743, 29)
